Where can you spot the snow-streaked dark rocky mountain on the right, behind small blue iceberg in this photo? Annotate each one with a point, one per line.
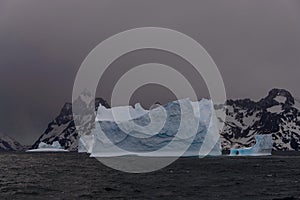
(276, 114)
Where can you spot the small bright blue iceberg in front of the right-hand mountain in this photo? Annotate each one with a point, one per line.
(262, 147)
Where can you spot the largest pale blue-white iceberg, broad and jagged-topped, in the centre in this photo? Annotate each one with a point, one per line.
(130, 130)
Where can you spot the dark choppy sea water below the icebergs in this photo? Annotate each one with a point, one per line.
(76, 176)
